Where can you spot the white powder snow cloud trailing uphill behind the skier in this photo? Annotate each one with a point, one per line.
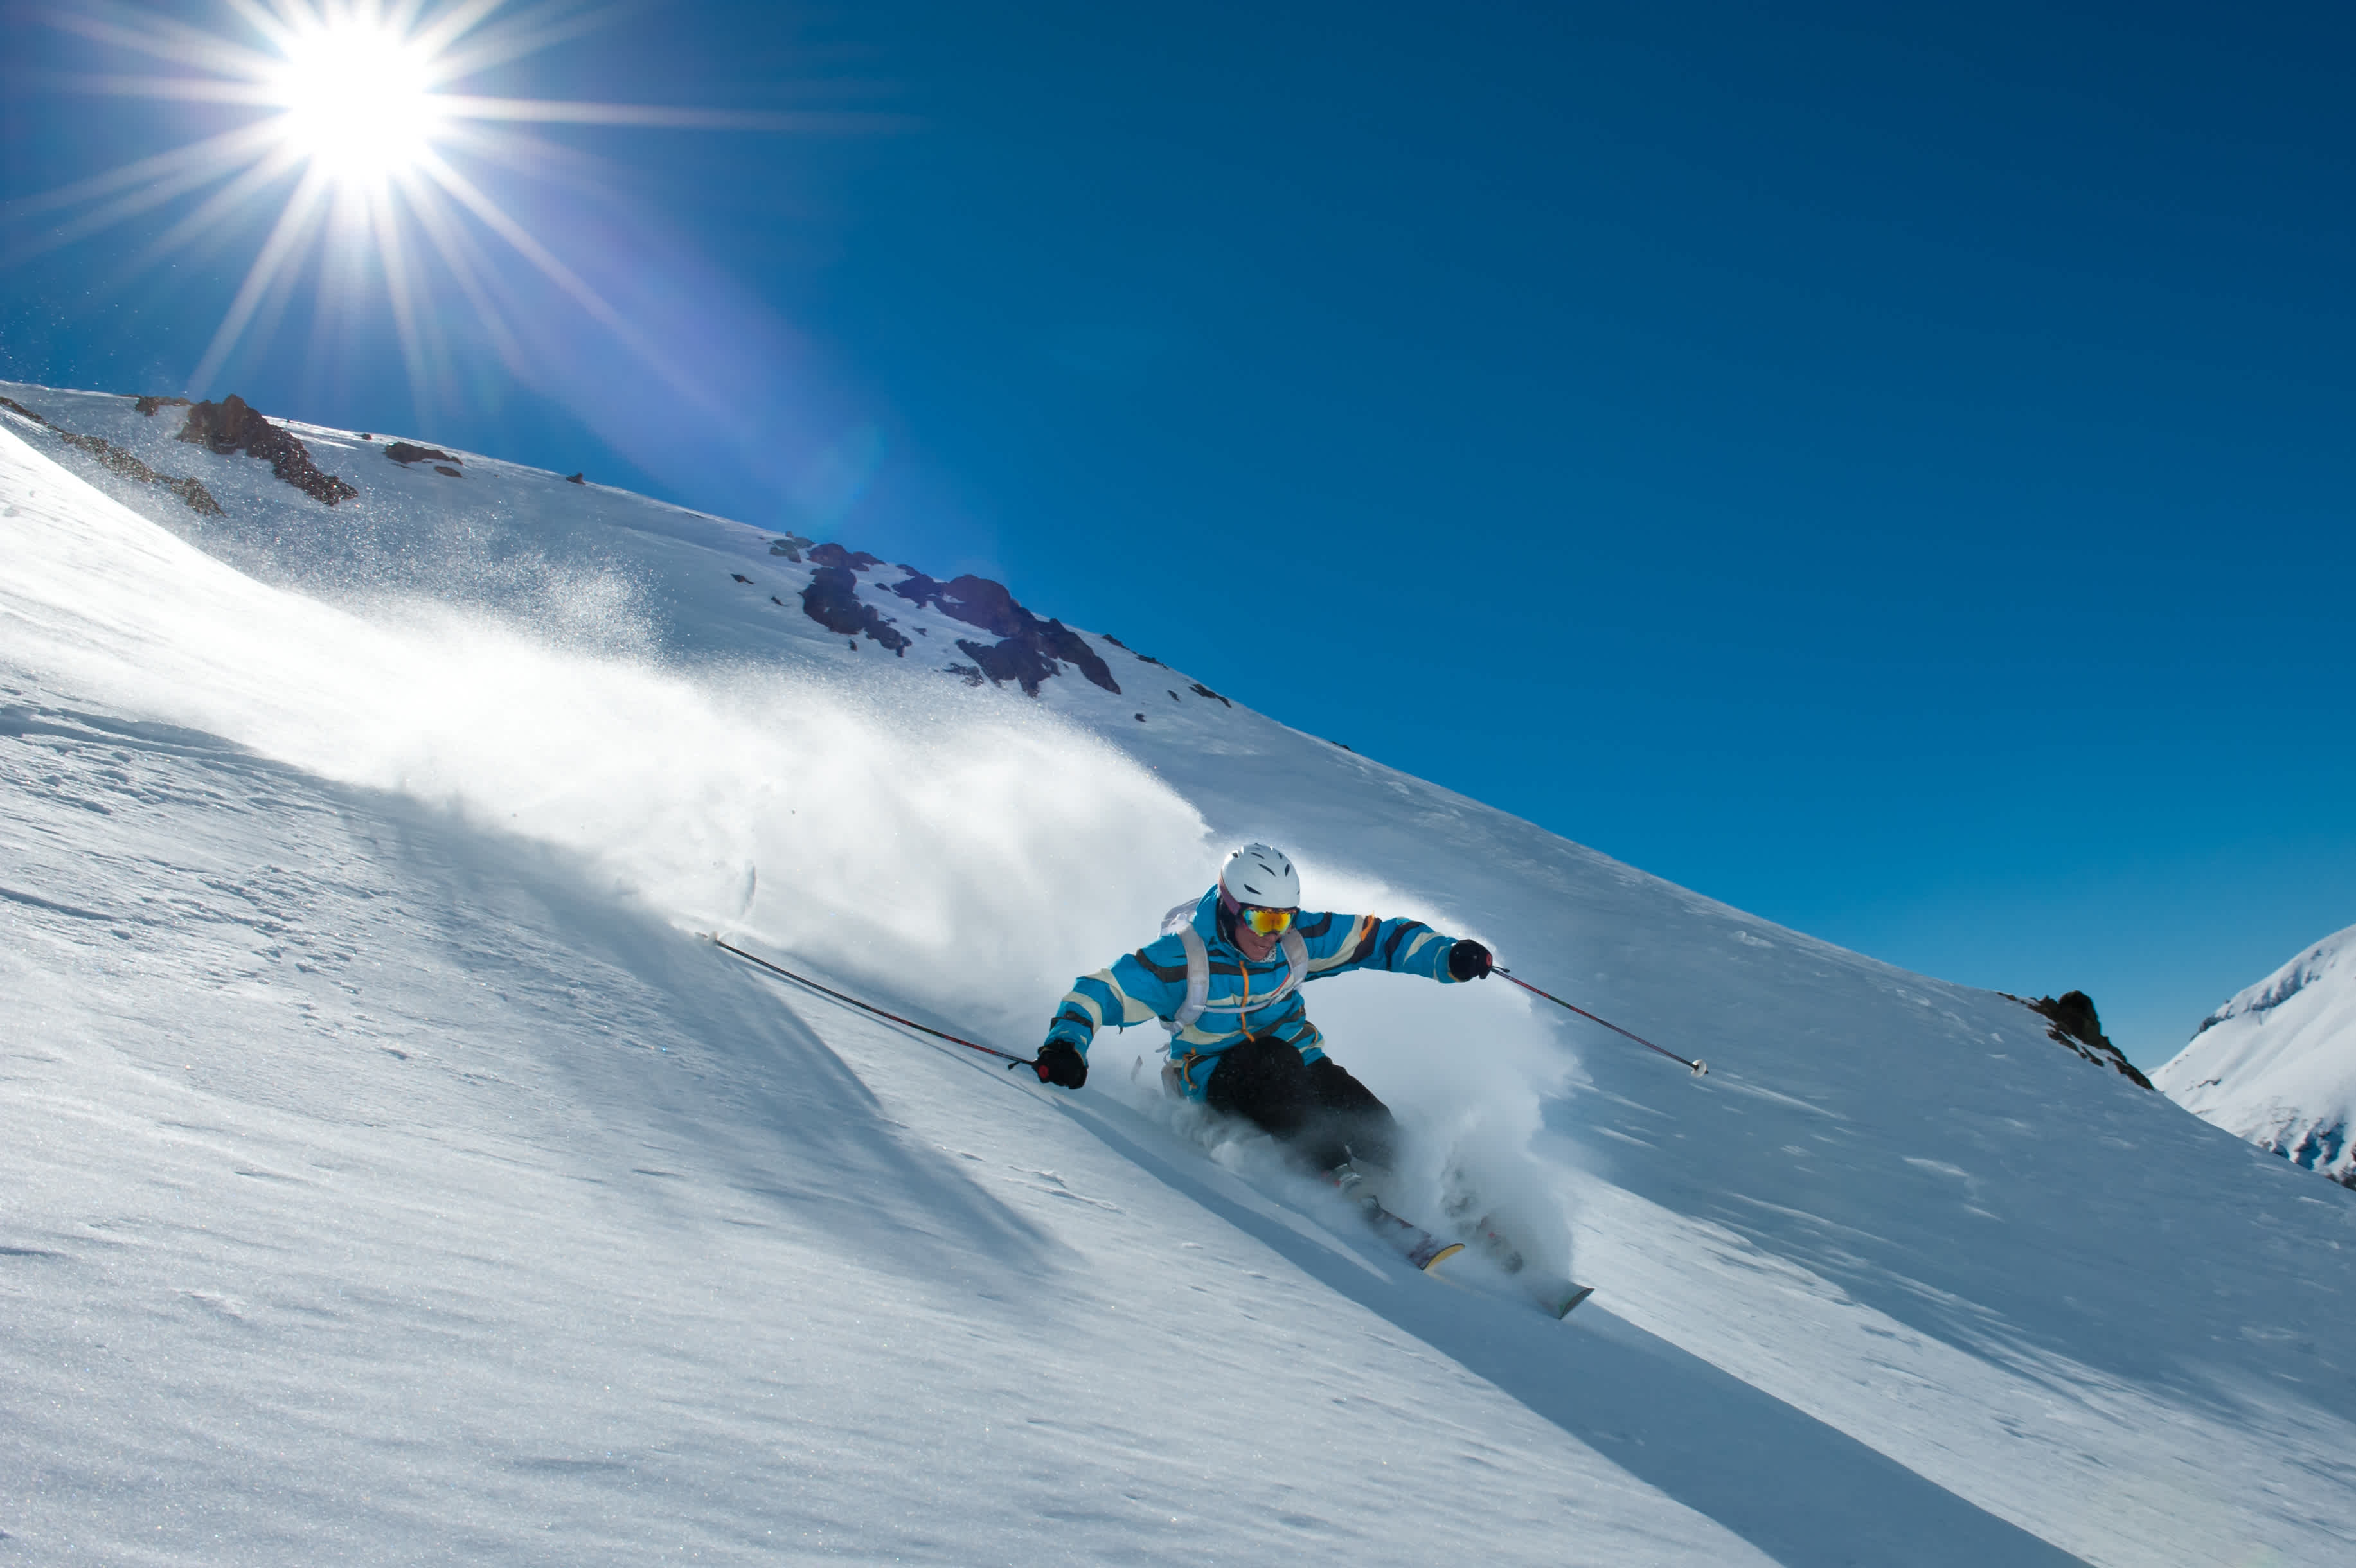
(955, 858)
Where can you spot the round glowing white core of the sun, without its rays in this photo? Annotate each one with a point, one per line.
(357, 98)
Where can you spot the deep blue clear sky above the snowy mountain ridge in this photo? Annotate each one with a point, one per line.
(1891, 472)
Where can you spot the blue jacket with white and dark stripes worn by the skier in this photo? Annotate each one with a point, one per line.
(1151, 985)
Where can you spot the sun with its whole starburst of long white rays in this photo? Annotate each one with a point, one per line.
(357, 114)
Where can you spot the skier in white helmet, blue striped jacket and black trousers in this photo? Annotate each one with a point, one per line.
(1226, 983)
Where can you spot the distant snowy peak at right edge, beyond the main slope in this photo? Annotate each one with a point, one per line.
(2277, 1065)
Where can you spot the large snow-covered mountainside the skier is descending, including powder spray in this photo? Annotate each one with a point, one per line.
(390, 1176)
